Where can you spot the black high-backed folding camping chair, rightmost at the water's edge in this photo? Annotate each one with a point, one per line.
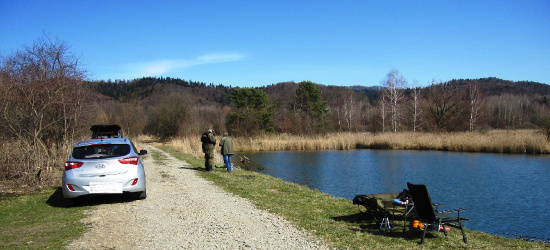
(428, 213)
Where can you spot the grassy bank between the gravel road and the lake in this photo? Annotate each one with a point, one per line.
(337, 220)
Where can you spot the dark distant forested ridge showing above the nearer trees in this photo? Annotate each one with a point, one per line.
(143, 88)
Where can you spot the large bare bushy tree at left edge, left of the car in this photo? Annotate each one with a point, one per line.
(41, 88)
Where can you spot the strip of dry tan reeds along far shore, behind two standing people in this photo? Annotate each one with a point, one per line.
(497, 141)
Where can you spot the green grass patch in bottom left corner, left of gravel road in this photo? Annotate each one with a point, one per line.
(38, 220)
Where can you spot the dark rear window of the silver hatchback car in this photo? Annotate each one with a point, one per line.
(101, 151)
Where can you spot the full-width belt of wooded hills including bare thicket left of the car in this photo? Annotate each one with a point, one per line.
(48, 104)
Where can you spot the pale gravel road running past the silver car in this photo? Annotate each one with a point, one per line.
(183, 210)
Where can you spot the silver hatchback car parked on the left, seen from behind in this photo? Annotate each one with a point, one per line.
(104, 166)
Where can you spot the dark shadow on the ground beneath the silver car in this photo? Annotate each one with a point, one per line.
(57, 199)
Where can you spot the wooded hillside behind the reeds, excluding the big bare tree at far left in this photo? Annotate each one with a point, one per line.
(176, 107)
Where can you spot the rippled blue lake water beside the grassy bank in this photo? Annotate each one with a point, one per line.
(503, 194)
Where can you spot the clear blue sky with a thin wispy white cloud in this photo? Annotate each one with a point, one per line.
(257, 43)
